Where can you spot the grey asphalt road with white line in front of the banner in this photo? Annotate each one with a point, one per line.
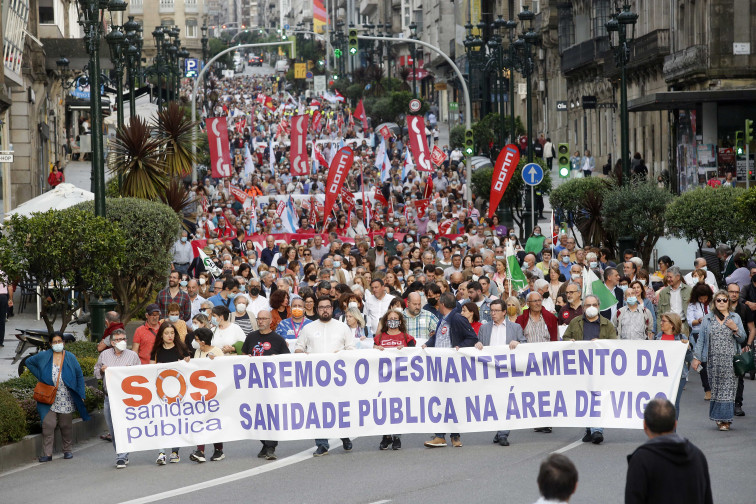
(479, 472)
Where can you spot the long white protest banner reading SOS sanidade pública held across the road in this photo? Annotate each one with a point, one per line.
(603, 383)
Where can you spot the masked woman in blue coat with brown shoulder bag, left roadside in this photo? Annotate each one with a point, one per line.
(60, 370)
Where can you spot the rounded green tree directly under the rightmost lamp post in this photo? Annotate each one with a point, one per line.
(637, 210)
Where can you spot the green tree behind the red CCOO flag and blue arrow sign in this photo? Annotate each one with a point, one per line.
(514, 196)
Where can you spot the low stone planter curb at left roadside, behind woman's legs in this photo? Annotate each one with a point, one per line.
(30, 447)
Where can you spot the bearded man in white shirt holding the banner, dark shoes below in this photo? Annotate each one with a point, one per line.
(325, 335)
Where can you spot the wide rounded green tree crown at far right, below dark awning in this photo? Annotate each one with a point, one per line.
(710, 214)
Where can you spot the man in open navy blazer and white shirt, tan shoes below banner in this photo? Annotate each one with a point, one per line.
(453, 331)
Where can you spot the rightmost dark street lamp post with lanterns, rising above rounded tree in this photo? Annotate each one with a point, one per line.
(618, 24)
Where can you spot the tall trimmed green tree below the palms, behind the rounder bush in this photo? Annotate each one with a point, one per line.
(151, 229)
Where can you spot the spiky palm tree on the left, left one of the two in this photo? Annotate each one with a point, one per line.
(137, 156)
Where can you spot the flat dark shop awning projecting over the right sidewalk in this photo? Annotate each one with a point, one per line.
(673, 100)
